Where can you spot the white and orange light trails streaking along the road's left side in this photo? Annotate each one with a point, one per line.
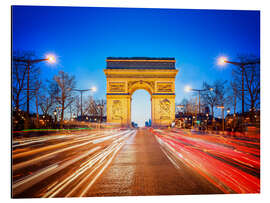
(85, 156)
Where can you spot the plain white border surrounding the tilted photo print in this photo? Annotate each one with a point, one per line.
(194, 4)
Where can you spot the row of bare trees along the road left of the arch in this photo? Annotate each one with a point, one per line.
(48, 97)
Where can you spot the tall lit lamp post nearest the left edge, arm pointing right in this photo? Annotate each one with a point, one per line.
(29, 63)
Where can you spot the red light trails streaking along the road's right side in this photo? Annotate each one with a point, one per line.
(224, 162)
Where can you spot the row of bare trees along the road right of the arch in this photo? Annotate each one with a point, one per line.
(229, 93)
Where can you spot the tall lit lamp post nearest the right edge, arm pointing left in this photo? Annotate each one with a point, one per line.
(223, 61)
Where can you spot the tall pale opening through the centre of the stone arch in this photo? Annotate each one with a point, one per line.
(141, 107)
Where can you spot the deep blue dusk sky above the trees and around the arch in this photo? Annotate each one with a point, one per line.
(82, 38)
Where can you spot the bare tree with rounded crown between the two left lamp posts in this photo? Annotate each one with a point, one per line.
(62, 86)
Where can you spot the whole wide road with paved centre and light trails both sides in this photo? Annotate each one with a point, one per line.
(128, 162)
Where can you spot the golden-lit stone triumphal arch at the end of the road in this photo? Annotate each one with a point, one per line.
(126, 75)
